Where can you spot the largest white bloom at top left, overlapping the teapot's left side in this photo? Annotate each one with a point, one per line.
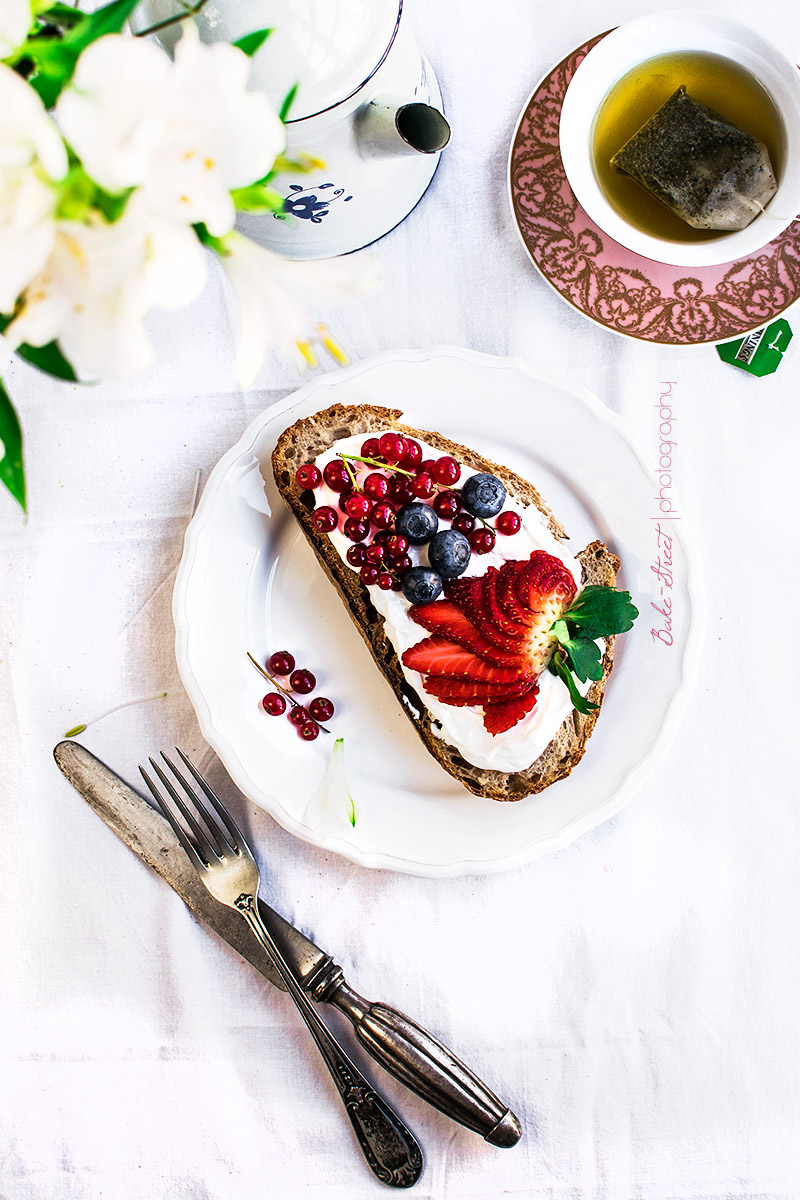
(188, 133)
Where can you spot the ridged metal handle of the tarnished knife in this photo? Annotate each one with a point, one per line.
(426, 1066)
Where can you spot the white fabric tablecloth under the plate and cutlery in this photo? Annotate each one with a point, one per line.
(634, 998)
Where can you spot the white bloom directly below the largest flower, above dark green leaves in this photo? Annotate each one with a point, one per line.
(99, 285)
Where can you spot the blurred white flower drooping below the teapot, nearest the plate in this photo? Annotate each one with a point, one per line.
(268, 287)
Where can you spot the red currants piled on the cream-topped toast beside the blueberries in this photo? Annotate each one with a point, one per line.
(369, 506)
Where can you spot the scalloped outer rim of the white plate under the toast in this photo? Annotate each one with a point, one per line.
(383, 860)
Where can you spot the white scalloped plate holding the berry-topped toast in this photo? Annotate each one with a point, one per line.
(249, 581)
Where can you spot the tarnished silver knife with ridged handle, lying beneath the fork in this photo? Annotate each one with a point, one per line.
(405, 1049)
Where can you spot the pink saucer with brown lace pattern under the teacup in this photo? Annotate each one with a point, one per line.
(611, 285)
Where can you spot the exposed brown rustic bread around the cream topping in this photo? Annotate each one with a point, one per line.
(304, 442)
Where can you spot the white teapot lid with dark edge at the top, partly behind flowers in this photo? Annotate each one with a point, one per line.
(328, 47)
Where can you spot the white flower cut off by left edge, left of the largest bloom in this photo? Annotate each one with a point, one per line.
(32, 159)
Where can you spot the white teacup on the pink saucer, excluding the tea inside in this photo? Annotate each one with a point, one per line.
(649, 38)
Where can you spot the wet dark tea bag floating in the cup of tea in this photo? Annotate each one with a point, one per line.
(709, 172)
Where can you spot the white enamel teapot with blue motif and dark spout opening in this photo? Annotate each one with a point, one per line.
(366, 105)
